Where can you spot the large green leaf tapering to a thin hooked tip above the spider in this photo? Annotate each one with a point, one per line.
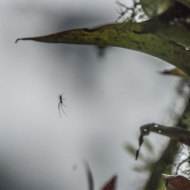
(165, 41)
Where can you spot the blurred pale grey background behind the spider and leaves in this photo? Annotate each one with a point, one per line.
(109, 93)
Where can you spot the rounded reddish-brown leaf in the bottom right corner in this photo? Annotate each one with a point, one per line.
(176, 182)
